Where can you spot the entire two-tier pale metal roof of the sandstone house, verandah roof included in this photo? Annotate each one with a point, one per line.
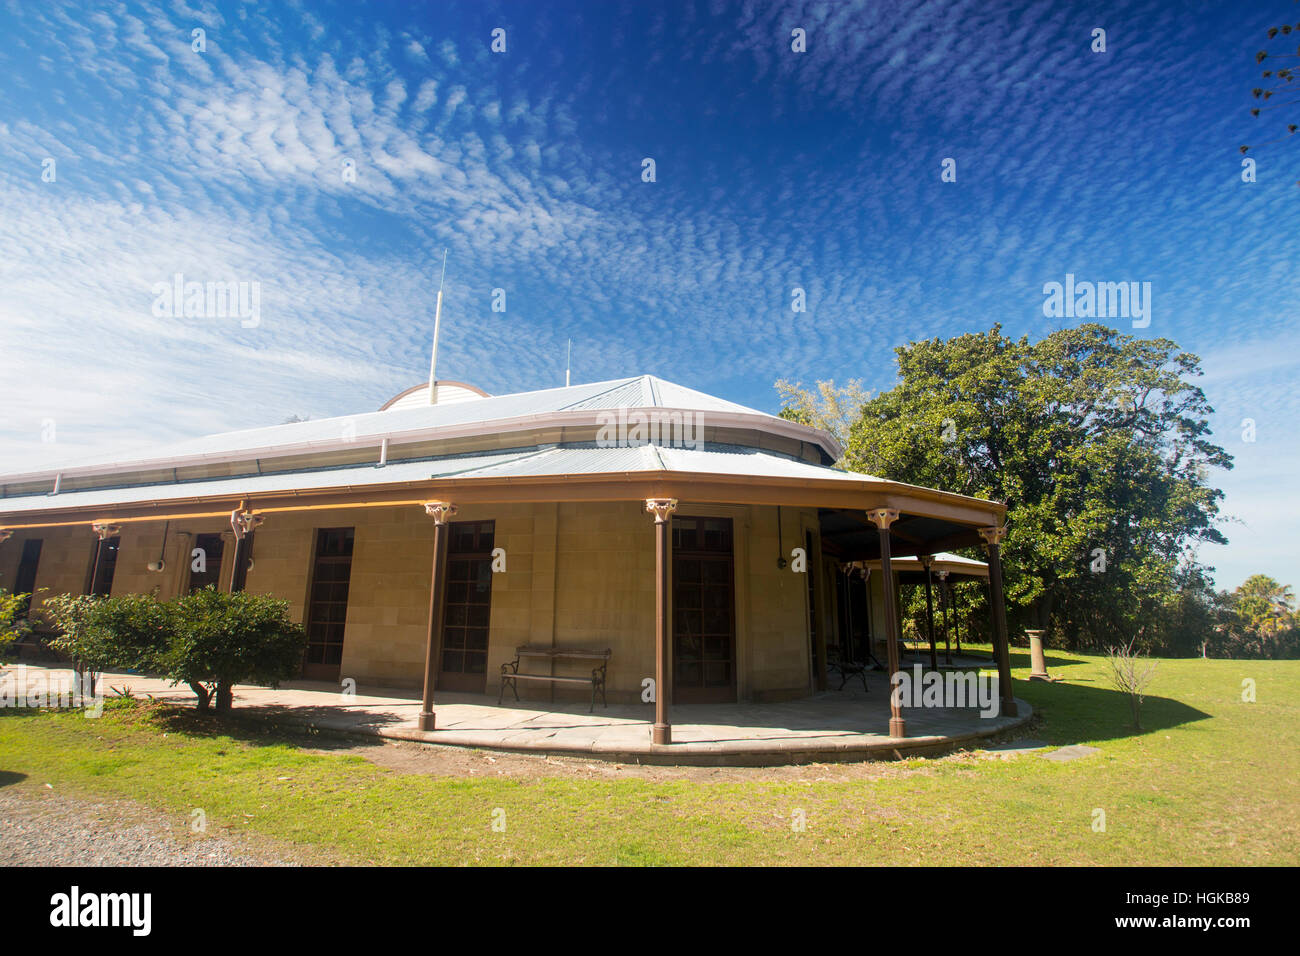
(535, 447)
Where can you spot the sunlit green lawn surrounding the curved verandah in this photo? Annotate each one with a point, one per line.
(1212, 781)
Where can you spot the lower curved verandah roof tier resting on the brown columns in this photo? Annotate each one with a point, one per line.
(931, 521)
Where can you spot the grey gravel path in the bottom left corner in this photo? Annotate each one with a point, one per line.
(47, 829)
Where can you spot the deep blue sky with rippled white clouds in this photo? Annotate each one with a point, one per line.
(326, 157)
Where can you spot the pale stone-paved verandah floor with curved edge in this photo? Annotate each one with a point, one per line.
(833, 725)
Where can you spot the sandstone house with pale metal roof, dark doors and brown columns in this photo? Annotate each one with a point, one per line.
(422, 544)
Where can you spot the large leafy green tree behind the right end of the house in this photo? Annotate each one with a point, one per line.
(1100, 445)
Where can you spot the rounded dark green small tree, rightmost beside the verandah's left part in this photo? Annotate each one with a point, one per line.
(222, 641)
